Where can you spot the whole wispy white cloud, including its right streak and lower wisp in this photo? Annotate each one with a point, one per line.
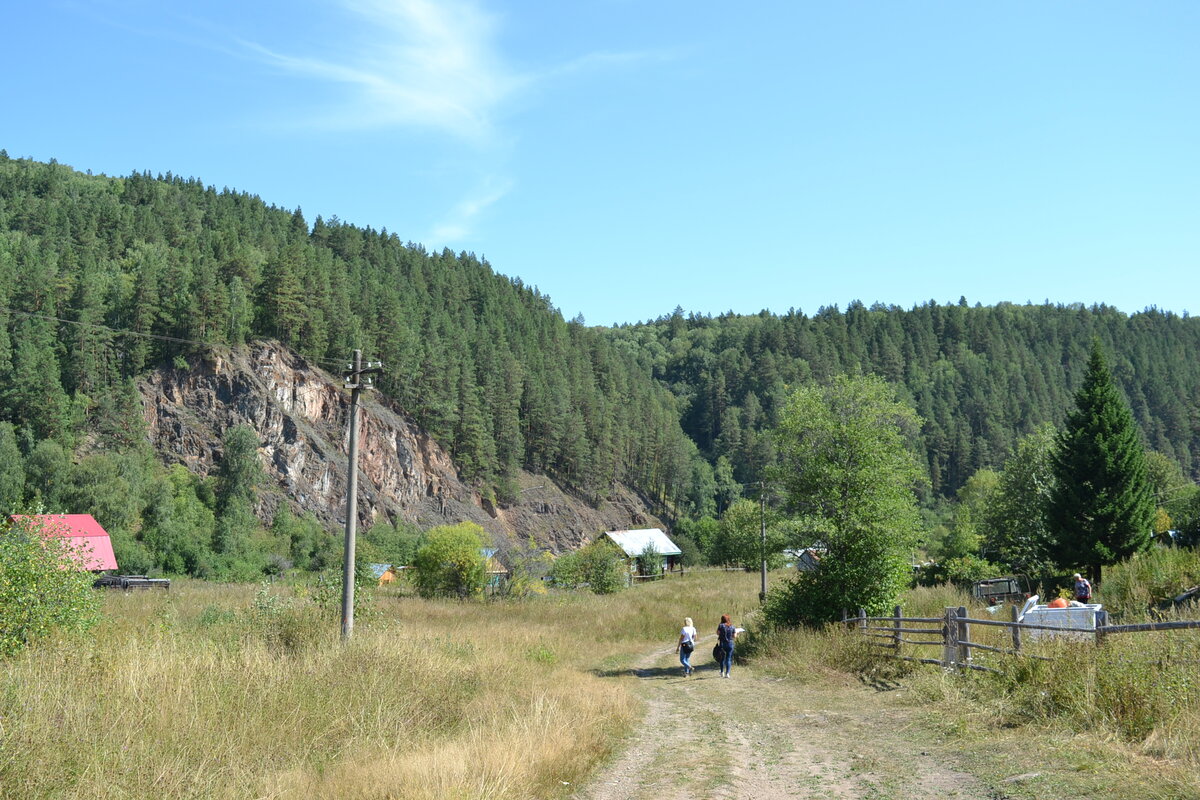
(436, 65)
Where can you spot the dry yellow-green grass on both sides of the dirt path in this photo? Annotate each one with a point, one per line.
(243, 691)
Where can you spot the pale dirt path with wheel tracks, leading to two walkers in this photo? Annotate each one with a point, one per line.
(764, 738)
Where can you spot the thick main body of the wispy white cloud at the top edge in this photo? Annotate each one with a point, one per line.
(422, 64)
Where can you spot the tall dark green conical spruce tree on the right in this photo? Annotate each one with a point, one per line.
(1101, 507)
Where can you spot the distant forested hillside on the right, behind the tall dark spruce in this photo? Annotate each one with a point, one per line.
(980, 377)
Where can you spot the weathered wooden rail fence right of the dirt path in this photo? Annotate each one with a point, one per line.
(952, 633)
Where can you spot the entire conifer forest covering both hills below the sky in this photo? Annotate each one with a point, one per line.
(103, 279)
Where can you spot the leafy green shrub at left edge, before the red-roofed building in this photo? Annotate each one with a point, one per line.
(43, 588)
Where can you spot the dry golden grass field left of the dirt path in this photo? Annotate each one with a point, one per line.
(239, 691)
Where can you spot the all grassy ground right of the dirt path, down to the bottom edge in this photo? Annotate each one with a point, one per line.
(1117, 721)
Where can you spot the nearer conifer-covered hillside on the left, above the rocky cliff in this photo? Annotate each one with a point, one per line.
(103, 279)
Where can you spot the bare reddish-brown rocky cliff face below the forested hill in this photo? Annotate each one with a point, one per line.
(301, 416)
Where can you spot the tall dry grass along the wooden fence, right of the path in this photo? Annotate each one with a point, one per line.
(1138, 694)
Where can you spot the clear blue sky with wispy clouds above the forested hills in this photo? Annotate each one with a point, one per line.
(631, 157)
